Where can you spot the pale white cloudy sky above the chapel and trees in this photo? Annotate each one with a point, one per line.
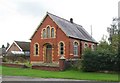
(20, 18)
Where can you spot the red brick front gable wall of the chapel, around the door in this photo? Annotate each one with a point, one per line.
(60, 36)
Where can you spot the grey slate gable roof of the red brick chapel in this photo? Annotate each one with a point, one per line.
(71, 29)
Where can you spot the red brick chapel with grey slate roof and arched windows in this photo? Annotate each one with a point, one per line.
(57, 37)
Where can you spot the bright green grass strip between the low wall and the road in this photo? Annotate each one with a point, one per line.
(68, 74)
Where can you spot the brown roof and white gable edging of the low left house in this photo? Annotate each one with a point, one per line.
(22, 45)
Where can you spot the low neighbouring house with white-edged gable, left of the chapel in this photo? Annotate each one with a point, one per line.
(19, 48)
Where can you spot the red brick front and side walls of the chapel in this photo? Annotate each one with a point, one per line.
(60, 36)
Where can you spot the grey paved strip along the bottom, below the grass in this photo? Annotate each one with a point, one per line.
(51, 80)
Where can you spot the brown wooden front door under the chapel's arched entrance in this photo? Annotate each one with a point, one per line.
(48, 53)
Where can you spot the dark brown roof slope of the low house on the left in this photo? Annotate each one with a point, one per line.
(25, 46)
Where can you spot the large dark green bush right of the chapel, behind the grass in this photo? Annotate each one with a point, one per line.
(100, 61)
